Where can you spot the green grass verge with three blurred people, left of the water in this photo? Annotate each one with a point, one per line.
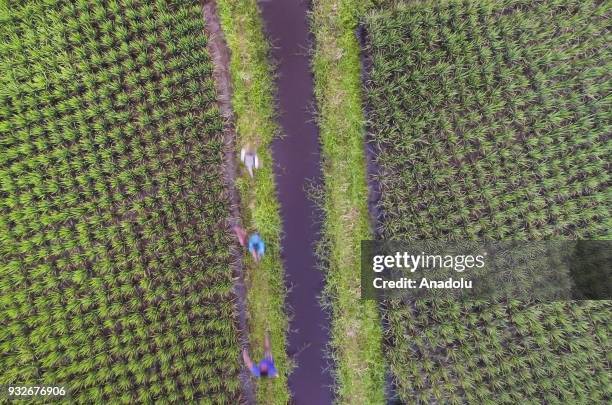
(254, 108)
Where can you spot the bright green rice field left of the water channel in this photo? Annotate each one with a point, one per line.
(115, 277)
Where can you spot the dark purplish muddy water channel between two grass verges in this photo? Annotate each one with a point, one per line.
(297, 161)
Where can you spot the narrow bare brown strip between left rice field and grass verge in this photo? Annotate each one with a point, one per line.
(219, 53)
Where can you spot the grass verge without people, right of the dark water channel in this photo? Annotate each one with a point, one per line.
(356, 331)
